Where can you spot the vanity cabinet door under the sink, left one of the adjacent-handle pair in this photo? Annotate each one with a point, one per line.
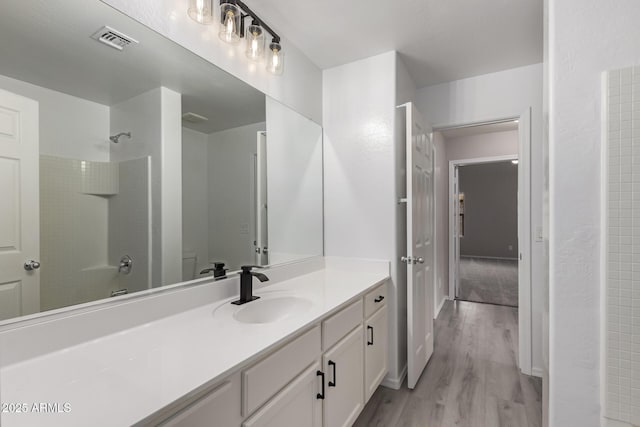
(297, 405)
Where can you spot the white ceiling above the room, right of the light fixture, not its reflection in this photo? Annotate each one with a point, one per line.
(439, 40)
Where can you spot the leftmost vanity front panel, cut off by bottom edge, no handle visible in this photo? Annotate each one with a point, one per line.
(219, 408)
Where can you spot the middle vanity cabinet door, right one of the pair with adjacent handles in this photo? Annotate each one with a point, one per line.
(344, 379)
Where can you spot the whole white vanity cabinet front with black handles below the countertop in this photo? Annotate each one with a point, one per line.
(321, 377)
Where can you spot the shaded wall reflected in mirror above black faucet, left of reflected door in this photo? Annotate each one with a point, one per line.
(230, 196)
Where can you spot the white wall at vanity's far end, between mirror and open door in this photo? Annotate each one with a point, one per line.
(359, 170)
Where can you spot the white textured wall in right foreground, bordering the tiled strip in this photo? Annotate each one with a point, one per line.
(586, 37)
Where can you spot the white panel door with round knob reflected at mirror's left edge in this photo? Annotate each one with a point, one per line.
(19, 207)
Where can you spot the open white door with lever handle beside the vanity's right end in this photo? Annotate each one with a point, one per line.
(420, 251)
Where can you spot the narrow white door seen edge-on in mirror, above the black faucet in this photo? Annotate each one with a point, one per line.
(261, 241)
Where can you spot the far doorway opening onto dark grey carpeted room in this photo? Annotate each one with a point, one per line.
(486, 238)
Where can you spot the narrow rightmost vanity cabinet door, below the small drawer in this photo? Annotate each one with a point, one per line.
(375, 351)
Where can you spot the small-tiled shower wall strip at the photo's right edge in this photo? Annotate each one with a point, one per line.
(623, 251)
